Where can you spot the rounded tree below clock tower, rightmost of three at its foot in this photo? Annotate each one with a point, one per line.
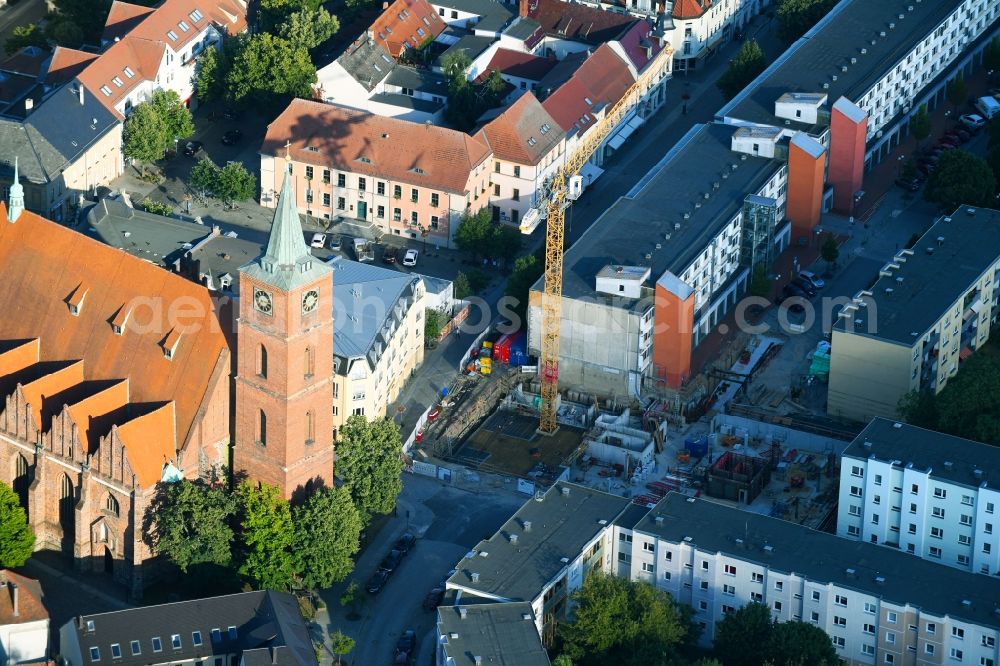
(327, 536)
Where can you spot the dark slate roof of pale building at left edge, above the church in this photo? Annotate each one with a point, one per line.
(54, 135)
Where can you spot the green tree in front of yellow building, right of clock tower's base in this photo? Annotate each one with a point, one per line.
(369, 461)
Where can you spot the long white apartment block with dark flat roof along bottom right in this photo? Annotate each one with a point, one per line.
(878, 605)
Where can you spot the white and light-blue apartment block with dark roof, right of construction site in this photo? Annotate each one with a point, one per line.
(923, 492)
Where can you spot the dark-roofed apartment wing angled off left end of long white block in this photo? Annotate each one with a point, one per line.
(542, 553)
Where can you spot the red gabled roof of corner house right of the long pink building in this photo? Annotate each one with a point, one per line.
(525, 133)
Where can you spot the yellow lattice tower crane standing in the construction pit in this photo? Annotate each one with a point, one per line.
(564, 188)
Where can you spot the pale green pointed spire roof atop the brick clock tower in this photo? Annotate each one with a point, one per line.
(287, 262)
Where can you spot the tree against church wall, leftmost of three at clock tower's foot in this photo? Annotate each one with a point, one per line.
(188, 523)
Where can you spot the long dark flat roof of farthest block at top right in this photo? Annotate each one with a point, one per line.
(849, 27)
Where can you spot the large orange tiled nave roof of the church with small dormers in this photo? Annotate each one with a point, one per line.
(43, 264)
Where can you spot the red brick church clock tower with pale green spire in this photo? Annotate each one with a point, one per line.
(284, 374)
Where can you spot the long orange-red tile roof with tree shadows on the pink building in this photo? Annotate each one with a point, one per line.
(334, 136)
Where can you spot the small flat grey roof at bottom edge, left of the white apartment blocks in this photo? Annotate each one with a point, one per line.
(502, 634)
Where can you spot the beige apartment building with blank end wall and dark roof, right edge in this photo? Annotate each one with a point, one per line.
(932, 306)
